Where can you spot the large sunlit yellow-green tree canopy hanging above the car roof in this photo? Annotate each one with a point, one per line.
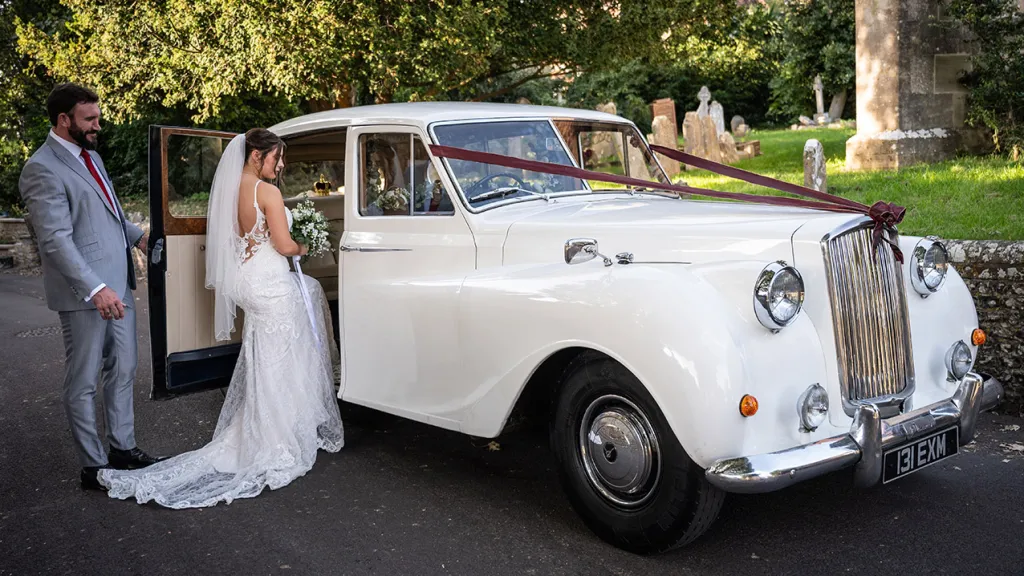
(330, 53)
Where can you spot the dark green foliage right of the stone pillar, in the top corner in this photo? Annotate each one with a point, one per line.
(997, 79)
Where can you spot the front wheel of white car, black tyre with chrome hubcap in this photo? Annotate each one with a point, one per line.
(624, 470)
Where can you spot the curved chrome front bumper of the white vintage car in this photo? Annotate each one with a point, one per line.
(863, 448)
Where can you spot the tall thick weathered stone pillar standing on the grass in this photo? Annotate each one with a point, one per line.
(911, 109)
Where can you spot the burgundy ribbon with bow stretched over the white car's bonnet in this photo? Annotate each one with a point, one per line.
(883, 214)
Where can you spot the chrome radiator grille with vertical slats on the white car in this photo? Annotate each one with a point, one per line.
(870, 318)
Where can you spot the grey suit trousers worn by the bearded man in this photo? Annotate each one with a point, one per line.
(94, 346)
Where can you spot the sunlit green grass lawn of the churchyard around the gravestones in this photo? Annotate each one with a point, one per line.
(966, 199)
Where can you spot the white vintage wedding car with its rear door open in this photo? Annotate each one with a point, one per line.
(677, 349)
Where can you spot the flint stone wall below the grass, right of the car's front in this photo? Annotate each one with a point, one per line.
(995, 273)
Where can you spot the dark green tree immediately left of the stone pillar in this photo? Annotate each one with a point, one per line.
(818, 38)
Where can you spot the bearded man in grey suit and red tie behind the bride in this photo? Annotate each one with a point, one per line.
(86, 245)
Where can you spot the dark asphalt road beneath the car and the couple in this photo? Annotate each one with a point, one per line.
(406, 499)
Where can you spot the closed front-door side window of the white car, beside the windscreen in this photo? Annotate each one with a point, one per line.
(397, 178)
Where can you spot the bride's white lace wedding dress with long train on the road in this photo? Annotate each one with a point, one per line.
(281, 405)
